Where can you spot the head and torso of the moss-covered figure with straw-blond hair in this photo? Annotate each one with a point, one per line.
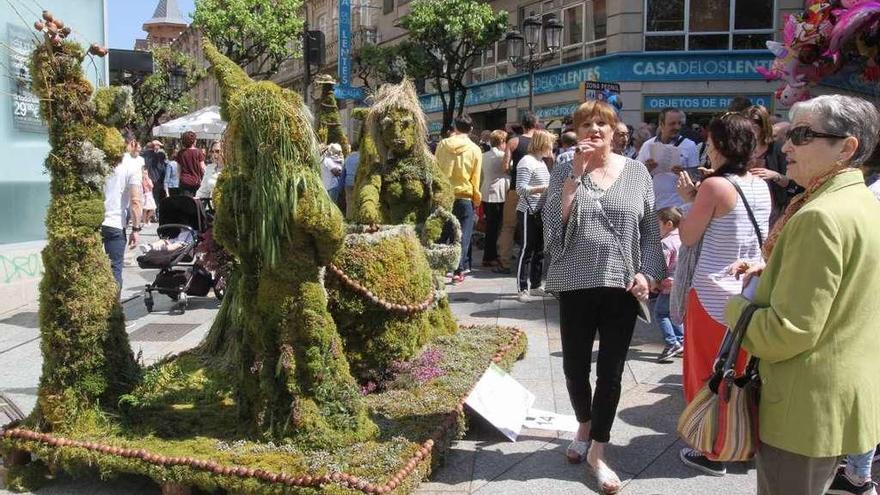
(398, 180)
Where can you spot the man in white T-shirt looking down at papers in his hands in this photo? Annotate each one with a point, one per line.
(671, 121)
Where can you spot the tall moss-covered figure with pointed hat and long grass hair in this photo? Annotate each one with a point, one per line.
(274, 215)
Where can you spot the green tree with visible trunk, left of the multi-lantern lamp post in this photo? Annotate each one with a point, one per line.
(454, 32)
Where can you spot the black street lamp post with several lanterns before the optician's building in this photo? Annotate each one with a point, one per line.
(524, 50)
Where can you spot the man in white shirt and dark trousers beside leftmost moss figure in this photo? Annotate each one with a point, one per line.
(122, 201)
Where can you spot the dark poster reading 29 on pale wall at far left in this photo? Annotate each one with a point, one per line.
(25, 104)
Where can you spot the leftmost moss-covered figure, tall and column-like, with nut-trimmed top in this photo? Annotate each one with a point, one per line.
(87, 359)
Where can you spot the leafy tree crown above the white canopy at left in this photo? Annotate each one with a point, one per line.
(154, 98)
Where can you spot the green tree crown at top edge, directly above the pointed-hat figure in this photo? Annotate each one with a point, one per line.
(255, 34)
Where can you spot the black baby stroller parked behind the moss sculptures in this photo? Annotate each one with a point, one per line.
(182, 222)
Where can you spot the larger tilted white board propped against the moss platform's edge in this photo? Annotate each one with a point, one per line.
(502, 401)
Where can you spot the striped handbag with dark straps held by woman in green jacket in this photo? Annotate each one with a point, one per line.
(722, 420)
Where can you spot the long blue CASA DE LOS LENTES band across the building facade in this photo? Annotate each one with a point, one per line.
(620, 67)
